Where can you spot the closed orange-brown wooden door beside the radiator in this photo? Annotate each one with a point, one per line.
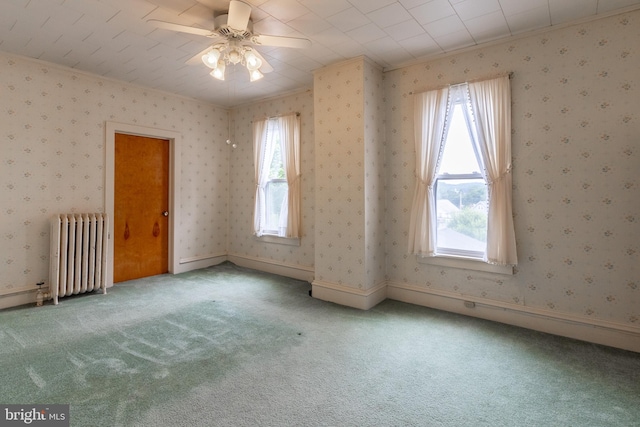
(141, 205)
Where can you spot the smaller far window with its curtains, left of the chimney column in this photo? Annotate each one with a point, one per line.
(277, 168)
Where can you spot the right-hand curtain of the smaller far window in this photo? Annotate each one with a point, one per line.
(290, 139)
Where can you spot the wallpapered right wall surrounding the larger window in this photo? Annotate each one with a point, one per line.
(576, 148)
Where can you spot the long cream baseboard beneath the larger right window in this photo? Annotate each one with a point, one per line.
(592, 330)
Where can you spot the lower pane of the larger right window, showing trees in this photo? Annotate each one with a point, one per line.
(461, 207)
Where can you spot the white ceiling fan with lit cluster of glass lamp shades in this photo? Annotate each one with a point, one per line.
(233, 32)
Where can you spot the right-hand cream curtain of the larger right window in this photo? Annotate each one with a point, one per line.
(491, 106)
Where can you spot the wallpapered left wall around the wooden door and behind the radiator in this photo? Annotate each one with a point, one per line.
(53, 158)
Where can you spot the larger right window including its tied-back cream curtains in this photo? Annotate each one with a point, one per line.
(462, 201)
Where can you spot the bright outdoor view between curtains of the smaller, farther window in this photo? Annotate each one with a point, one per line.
(276, 188)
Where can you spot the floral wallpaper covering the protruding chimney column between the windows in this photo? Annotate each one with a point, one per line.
(349, 162)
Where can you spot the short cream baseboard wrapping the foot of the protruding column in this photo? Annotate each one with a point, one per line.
(351, 297)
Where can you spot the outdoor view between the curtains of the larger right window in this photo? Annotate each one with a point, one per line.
(461, 193)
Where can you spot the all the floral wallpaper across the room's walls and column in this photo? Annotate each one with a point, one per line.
(576, 145)
